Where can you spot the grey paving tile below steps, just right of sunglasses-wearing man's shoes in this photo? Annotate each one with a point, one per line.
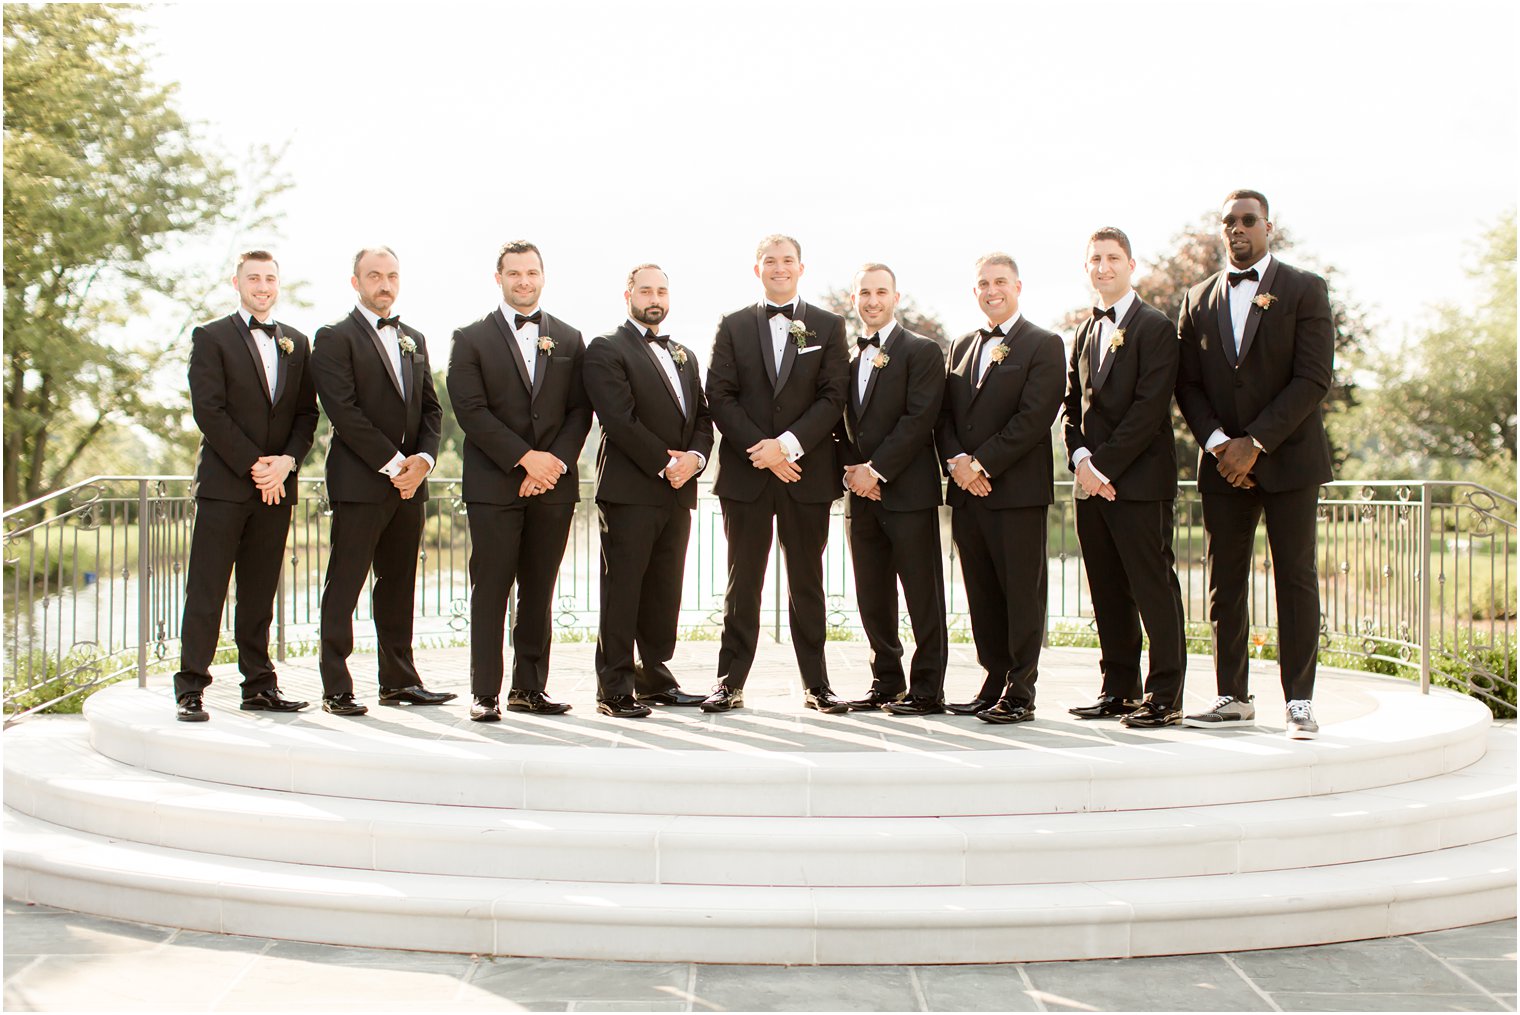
(1392, 966)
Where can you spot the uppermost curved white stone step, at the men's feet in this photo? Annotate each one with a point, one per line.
(727, 771)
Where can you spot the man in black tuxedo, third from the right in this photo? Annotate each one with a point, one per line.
(1002, 396)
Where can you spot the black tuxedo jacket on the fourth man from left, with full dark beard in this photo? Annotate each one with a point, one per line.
(642, 419)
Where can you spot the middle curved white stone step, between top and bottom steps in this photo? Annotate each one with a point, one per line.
(51, 773)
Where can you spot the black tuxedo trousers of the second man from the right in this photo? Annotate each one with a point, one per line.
(1132, 574)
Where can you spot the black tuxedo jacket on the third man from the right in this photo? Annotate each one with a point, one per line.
(1005, 425)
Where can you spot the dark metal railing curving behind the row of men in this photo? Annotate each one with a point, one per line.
(1417, 578)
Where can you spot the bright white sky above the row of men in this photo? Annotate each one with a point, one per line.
(919, 134)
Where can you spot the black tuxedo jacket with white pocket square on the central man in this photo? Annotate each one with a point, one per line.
(808, 399)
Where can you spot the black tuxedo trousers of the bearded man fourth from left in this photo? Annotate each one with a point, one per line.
(644, 566)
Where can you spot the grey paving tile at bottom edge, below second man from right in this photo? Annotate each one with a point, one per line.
(1183, 984)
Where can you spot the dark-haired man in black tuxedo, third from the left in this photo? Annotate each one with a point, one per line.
(515, 379)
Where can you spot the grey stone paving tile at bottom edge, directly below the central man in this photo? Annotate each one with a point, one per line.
(803, 990)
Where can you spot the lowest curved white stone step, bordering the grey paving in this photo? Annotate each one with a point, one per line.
(587, 920)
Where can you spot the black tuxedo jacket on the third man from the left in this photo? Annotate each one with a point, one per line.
(504, 416)
